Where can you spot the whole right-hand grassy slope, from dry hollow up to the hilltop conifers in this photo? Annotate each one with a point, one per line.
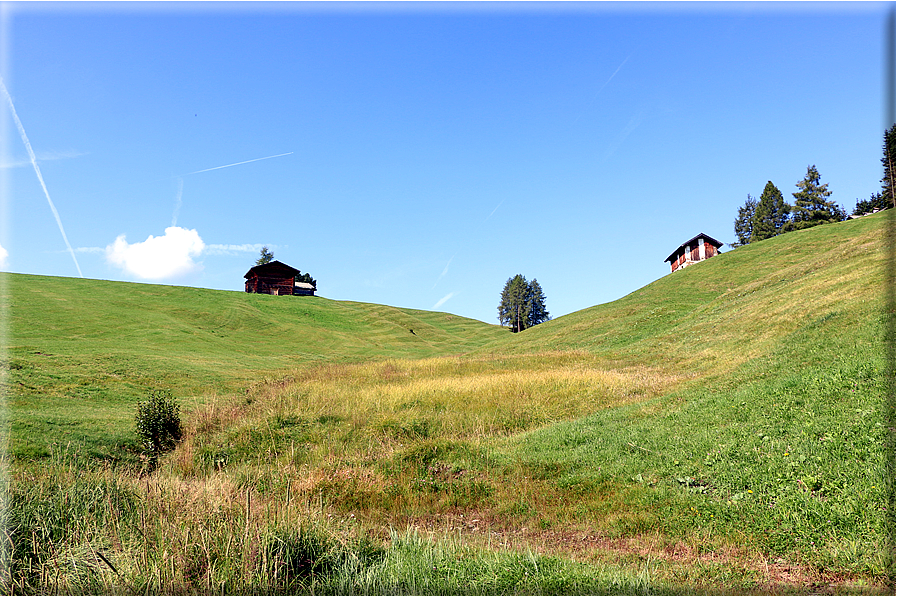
(779, 432)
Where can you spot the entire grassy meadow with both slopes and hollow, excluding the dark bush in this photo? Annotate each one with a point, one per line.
(727, 429)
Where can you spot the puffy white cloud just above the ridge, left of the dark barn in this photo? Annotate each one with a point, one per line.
(158, 257)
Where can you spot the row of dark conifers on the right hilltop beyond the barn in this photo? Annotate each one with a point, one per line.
(772, 215)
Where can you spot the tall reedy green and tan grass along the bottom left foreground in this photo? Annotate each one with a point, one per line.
(72, 531)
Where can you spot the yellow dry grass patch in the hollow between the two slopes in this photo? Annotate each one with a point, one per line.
(470, 396)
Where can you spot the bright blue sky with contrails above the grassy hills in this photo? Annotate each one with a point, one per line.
(419, 155)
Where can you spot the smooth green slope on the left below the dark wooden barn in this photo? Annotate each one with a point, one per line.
(82, 352)
